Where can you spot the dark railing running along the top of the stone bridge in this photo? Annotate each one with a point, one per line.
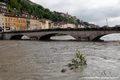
(70, 29)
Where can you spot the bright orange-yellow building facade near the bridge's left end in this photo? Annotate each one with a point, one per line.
(15, 23)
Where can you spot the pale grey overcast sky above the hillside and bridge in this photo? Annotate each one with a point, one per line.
(94, 11)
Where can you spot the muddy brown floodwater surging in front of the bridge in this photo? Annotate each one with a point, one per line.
(44, 60)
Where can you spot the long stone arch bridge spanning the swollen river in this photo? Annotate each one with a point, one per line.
(85, 34)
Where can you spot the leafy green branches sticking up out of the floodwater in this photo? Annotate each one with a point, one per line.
(78, 61)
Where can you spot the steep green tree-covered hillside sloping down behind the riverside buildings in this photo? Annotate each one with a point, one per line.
(26, 6)
